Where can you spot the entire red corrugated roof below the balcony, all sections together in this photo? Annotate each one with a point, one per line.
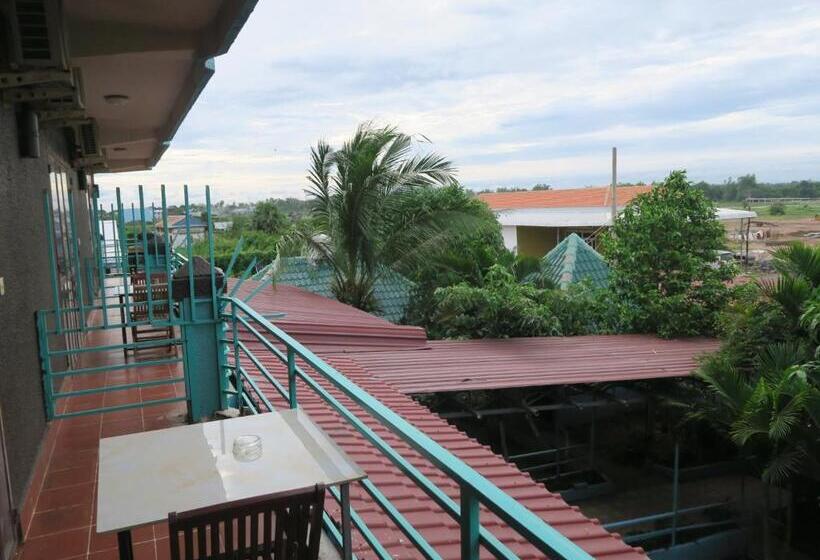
(390, 362)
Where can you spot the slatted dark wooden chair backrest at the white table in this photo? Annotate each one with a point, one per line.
(283, 526)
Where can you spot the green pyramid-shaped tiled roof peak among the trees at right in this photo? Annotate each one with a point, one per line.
(573, 260)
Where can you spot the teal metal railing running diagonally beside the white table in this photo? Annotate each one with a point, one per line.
(246, 325)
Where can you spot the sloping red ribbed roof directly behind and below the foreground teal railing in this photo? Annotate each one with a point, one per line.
(441, 531)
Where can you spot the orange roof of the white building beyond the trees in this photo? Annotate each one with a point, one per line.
(561, 198)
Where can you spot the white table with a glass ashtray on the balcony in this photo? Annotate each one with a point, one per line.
(144, 476)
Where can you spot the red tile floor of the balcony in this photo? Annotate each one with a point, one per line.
(59, 512)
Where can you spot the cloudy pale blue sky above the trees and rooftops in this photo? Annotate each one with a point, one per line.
(513, 92)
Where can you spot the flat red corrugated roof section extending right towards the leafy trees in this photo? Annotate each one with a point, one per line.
(463, 365)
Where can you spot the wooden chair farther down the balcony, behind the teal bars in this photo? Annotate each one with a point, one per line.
(160, 309)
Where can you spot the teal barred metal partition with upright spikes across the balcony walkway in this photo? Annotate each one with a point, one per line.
(106, 285)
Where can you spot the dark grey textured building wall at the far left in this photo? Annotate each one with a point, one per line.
(24, 267)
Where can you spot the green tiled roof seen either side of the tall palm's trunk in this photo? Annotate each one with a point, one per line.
(392, 290)
